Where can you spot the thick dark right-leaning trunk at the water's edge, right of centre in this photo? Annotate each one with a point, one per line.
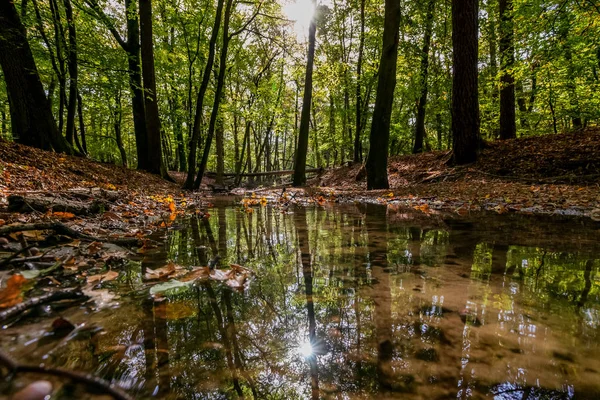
(380, 127)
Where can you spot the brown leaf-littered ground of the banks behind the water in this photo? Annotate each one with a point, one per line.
(557, 175)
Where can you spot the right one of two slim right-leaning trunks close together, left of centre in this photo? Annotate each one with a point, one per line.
(218, 94)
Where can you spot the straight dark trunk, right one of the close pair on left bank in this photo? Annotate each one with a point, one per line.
(153, 132)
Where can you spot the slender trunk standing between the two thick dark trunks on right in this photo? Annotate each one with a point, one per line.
(422, 105)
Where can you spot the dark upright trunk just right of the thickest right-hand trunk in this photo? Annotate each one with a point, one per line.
(508, 124)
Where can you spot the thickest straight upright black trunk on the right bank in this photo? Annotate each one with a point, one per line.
(465, 98)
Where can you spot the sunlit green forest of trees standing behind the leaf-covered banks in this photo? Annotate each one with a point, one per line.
(279, 85)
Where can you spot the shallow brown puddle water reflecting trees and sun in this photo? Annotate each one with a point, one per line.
(353, 302)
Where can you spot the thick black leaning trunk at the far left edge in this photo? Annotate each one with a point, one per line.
(31, 116)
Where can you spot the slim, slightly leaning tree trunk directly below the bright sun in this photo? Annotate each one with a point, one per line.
(302, 149)
